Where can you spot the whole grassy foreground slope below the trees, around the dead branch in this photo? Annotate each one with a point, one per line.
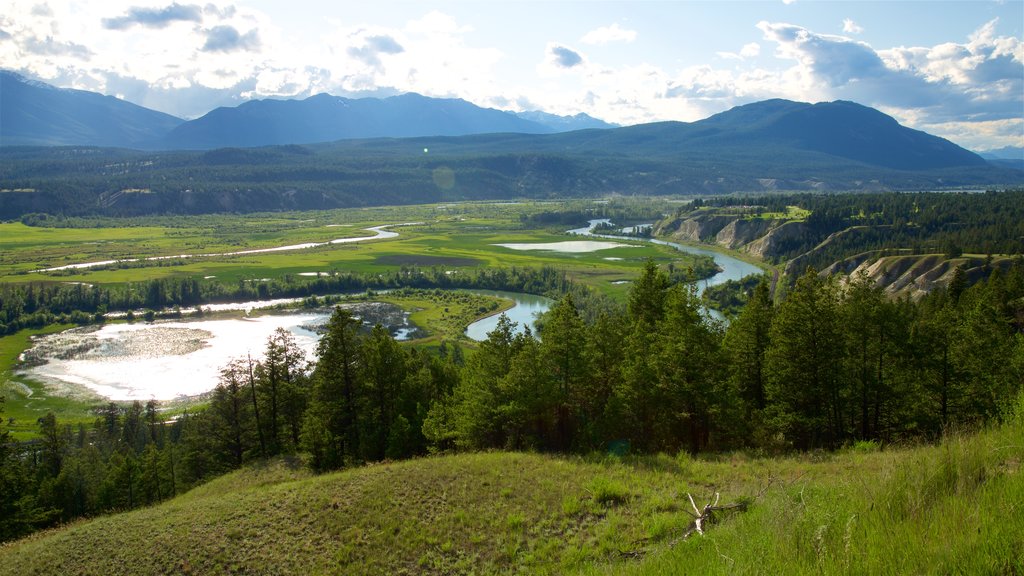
(956, 508)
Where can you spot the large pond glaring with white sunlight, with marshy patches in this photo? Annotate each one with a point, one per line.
(169, 360)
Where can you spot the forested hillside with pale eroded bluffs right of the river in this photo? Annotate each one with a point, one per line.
(908, 244)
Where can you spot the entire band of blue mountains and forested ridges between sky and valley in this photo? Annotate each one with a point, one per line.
(328, 152)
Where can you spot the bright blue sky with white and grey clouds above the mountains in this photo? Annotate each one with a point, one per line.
(953, 69)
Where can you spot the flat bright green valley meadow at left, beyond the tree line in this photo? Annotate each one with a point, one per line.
(450, 236)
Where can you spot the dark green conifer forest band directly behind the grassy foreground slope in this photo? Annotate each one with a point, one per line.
(829, 366)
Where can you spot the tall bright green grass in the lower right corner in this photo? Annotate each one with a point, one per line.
(956, 508)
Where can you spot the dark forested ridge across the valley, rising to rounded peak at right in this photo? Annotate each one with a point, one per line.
(751, 149)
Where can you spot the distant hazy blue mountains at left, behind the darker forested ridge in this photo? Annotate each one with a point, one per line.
(37, 114)
